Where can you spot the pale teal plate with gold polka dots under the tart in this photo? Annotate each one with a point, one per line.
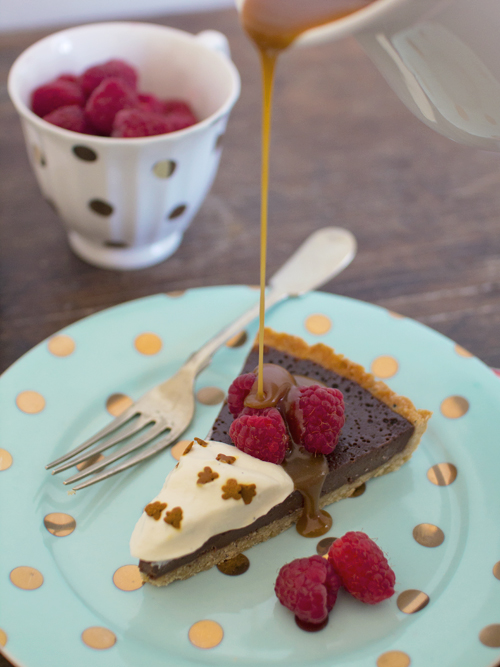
(43, 627)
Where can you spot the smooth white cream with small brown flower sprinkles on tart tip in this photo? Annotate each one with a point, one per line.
(214, 488)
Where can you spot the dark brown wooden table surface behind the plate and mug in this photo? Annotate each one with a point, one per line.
(345, 152)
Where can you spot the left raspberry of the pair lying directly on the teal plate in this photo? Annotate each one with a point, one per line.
(308, 587)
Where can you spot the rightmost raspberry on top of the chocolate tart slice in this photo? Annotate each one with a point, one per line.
(316, 417)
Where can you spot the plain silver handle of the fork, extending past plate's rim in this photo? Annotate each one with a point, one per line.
(323, 255)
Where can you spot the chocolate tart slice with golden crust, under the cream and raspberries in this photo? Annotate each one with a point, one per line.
(381, 432)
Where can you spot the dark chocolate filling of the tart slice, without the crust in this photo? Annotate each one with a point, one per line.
(372, 434)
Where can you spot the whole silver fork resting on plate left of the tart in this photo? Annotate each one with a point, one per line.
(168, 408)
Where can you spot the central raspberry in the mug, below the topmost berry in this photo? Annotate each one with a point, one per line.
(110, 96)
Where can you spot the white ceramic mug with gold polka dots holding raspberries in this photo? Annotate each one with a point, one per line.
(126, 202)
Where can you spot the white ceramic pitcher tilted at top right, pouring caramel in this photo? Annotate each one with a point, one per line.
(441, 57)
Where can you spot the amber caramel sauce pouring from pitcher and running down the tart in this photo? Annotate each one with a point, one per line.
(273, 25)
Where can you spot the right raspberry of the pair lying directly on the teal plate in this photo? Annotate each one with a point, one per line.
(362, 567)
